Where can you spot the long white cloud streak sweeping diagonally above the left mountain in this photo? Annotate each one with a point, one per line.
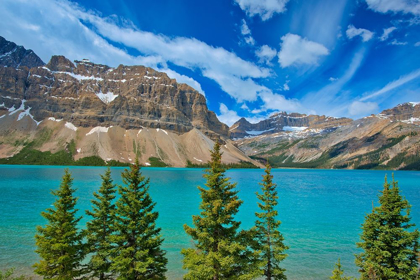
(87, 35)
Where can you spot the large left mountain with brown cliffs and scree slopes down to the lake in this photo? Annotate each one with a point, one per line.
(84, 110)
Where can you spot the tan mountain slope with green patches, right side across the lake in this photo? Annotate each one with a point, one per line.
(389, 140)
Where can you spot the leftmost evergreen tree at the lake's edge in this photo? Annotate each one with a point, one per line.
(60, 241)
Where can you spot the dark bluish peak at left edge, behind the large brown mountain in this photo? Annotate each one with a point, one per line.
(14, 56)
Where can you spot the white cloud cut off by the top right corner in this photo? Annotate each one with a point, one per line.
(395, 6)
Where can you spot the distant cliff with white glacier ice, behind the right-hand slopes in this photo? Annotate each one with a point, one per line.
(283, 122)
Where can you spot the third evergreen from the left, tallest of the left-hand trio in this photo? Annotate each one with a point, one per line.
(137, 254)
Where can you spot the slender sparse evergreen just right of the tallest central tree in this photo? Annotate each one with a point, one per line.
(268, 239)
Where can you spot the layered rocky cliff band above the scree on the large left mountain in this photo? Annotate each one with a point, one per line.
(89, 95)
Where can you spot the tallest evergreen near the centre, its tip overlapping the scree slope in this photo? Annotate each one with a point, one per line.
(219, 252)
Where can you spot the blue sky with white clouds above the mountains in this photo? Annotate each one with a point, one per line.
(250, 58)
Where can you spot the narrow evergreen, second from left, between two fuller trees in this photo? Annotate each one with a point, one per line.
(101, 229)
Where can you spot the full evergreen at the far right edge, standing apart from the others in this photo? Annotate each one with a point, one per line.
(389, 248)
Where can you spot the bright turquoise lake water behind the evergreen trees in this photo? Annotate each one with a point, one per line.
(321, 210)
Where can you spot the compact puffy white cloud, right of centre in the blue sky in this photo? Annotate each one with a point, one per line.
(296, 51)
